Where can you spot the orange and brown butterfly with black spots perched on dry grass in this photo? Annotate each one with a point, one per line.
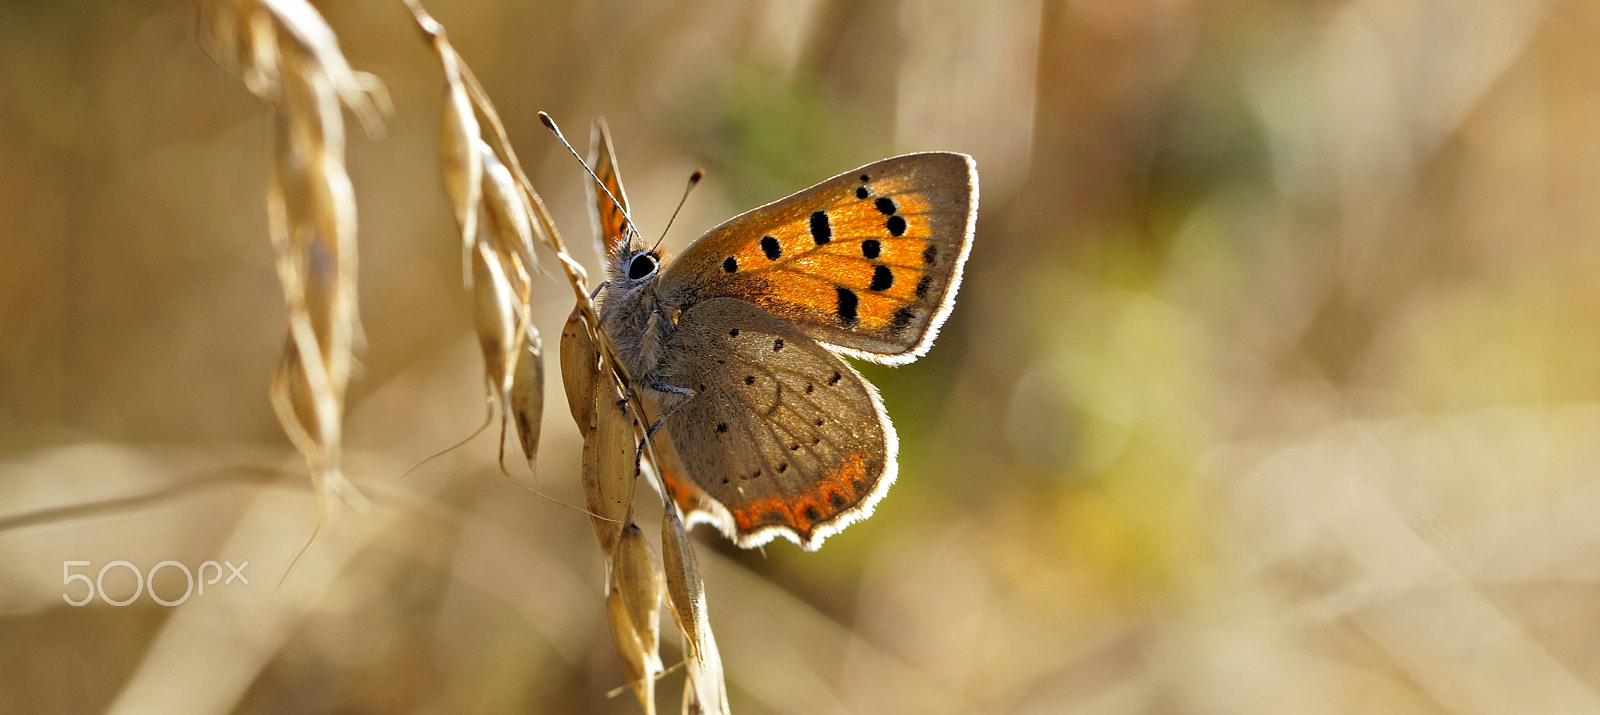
(735, 346)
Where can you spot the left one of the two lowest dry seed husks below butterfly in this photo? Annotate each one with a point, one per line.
(634, 609)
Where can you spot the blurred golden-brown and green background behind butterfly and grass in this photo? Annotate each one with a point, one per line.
(1273, 385)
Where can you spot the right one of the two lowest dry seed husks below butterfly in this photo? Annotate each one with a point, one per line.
(706, 690)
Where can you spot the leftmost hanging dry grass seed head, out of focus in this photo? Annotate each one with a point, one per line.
(289, 57)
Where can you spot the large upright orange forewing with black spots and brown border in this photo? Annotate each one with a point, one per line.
(868, 262)
